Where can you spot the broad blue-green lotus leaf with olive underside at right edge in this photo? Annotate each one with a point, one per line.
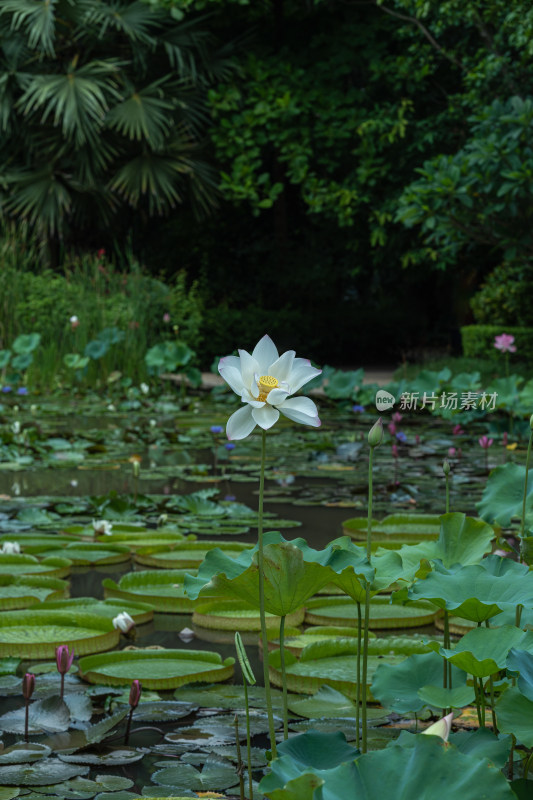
(473, 592)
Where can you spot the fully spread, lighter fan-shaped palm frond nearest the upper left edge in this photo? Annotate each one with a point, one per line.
(77, 101)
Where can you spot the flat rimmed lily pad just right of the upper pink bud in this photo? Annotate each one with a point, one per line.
(156, 669)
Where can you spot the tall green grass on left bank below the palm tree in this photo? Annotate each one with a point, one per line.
(92, 288)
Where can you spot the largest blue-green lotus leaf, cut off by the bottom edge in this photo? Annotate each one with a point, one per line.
(403, 775)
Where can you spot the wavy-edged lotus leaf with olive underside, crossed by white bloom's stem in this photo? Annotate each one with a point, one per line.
(293, 572)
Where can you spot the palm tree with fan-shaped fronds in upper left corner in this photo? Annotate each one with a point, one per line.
(101, 107)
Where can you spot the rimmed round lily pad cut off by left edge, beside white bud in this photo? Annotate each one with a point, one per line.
(36, 634)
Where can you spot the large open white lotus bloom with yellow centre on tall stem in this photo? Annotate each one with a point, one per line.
(264, 381)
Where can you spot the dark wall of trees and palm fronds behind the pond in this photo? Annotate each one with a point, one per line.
(352, 149)
